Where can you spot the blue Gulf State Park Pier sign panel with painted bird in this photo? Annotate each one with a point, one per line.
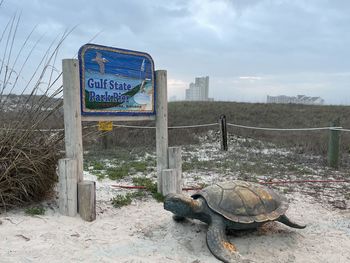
(116, 82)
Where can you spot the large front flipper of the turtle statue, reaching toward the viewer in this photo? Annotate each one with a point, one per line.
(219, 245)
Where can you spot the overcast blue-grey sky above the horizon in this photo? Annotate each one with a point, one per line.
(248, 48)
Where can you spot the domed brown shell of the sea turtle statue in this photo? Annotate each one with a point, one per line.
(244, 202)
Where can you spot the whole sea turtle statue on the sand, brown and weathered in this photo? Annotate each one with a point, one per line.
(230, 206)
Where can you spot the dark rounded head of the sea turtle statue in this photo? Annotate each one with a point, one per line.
(182, 205)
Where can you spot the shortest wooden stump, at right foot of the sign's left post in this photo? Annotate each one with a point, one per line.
(87, 200)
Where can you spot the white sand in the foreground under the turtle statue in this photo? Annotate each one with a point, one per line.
(144, 232)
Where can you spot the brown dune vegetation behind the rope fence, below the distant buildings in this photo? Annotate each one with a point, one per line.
(250, 114)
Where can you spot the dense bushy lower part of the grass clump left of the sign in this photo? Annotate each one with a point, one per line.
(27, 166)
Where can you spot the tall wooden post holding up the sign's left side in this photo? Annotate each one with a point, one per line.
(72, 116)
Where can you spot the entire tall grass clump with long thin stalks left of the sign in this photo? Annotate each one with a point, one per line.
(28, 155)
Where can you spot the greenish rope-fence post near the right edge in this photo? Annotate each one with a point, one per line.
(334, 145)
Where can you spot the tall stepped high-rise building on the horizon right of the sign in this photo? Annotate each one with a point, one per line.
(199, 90)
